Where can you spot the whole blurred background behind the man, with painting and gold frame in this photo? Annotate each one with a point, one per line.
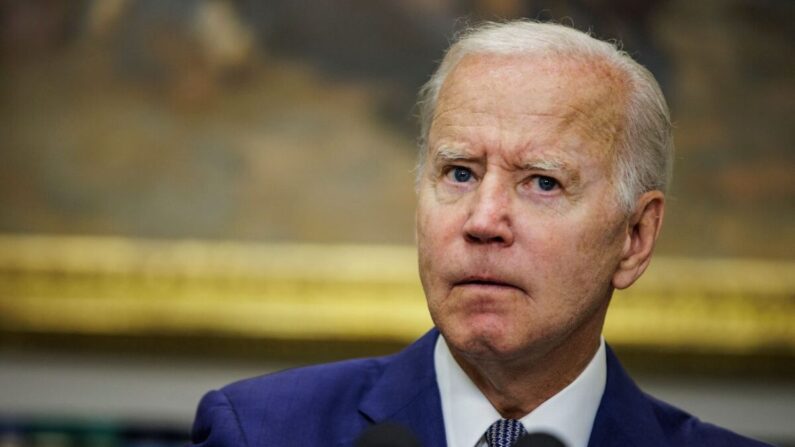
(245, 129)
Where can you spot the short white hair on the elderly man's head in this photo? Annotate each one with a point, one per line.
(644, 150)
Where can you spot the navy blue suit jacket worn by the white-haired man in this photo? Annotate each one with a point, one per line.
(329, 405)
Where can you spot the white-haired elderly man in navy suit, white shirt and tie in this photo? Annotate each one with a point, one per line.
(545, 156)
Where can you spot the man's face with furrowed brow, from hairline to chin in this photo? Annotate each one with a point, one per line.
(518, 226)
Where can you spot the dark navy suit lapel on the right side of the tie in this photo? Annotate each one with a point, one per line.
(625, 417)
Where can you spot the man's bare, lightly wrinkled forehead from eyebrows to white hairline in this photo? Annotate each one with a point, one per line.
(532, 100)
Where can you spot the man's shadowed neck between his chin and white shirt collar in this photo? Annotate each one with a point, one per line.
(518, 386)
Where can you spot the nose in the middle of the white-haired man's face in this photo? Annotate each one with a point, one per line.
(489, 219)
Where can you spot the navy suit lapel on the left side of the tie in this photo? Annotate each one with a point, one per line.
(407, 393)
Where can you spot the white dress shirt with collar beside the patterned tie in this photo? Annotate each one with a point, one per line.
(467, 413)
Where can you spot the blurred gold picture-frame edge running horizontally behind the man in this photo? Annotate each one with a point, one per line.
(119, 286)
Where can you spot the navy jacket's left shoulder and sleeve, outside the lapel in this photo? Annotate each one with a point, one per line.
(300, 406)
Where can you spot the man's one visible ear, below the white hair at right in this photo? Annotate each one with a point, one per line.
(643, 228)
